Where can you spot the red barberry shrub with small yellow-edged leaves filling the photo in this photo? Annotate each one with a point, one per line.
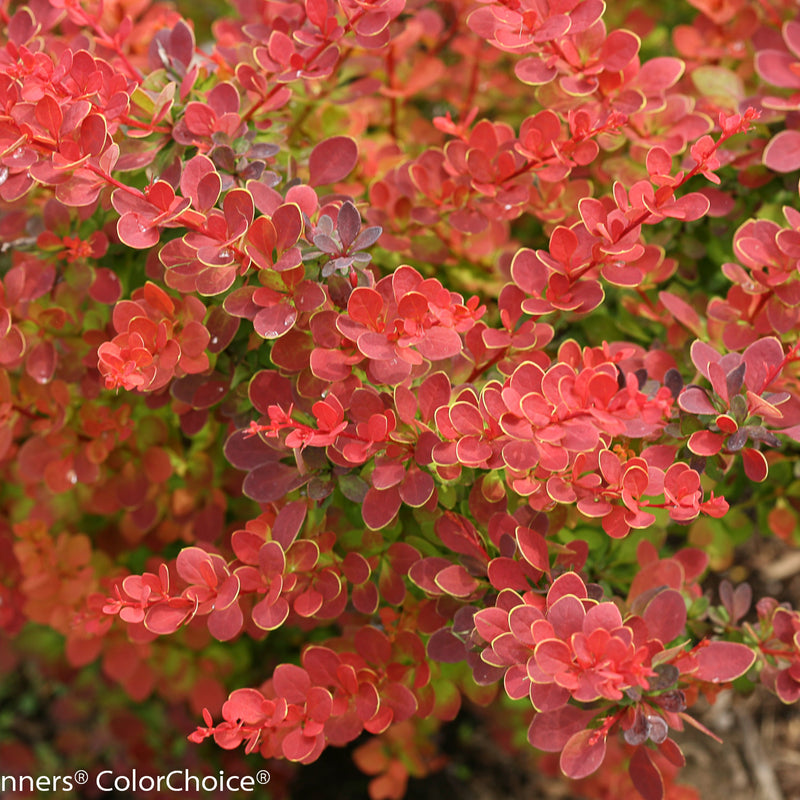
(410, 353)
